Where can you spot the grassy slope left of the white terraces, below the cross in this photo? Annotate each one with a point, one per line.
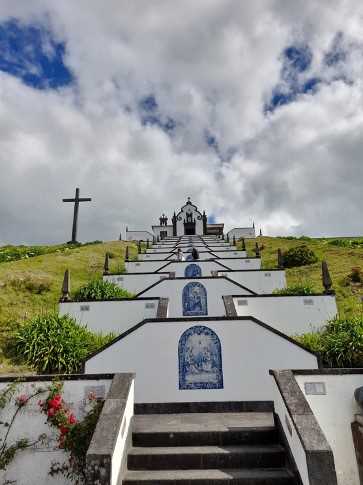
(20, 282)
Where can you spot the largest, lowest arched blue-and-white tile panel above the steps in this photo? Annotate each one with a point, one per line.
(200, 359)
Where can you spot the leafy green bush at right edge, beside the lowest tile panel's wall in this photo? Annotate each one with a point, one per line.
(340, 343)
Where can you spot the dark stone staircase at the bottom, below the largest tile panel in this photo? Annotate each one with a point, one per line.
(197, 448)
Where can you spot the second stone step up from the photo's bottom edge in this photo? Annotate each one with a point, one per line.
(199, 457)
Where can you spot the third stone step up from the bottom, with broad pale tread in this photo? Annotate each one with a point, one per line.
(204, 429)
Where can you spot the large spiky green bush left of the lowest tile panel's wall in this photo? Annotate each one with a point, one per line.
(56, 344)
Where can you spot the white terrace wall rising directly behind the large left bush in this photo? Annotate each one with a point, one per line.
(110, 316)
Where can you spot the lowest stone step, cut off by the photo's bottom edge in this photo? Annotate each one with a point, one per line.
(257, 476)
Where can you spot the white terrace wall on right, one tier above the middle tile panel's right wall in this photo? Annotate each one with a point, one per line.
(259, 281)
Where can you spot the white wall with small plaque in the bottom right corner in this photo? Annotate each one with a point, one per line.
(335, 413)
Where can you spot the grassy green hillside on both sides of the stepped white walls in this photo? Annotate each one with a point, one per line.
(32, 285)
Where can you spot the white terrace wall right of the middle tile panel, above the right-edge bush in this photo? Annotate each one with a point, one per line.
(292, 315)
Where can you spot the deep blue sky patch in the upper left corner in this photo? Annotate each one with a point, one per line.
(30, 53)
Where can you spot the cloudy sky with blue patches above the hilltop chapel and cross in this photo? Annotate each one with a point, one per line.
(252, 109)
